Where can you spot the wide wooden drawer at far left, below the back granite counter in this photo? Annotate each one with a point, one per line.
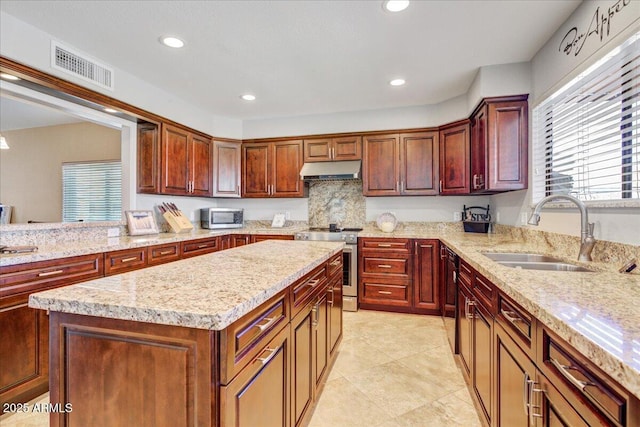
(28, 278)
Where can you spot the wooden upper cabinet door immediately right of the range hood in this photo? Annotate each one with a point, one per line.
(381, 165)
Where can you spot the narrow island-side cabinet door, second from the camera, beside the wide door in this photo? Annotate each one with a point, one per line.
(302, 369)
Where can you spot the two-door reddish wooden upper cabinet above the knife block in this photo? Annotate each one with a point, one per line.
(186, 160)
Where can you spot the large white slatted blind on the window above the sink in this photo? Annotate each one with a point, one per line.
(586, 134)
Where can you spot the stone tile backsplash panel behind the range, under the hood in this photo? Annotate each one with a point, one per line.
(336, 202)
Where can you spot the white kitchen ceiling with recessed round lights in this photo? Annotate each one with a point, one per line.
(301, 57)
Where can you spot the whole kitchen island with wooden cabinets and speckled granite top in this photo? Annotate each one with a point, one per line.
(212, 340)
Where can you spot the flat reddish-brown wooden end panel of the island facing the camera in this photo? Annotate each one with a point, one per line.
(108, 372)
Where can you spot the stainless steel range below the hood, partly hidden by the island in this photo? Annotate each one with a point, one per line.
(349, 257)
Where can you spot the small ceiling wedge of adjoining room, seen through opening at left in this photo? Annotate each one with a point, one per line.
(16, 115)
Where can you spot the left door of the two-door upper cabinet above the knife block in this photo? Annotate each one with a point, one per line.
(174, 160)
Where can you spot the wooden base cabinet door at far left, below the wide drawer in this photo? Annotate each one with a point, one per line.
(24, 351)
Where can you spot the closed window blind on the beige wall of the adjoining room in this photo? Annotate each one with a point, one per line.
(92, 191)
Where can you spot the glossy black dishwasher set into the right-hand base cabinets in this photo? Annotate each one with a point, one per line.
(450, 264)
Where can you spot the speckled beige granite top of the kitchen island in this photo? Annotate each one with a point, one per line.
(205, 292)
